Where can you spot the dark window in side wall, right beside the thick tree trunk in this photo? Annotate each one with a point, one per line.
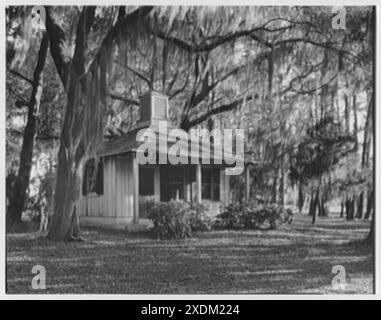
(93, 178)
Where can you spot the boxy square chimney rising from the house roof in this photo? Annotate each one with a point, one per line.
(153, 108)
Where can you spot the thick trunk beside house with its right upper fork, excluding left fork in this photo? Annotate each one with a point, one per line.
(65, 221)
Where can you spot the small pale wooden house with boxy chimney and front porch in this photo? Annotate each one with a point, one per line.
(115, 195)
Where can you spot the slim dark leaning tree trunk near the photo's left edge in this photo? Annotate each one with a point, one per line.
(19, 193)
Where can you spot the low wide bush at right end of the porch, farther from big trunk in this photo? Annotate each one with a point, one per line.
(251, 216)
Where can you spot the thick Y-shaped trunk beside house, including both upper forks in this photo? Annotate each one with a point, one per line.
(65, 223)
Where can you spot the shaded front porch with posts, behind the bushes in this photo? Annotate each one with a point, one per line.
(197, 183)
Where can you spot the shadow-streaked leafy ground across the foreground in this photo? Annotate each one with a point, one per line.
(297, 258)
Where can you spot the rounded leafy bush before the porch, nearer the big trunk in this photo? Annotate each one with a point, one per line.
(178, 219)
